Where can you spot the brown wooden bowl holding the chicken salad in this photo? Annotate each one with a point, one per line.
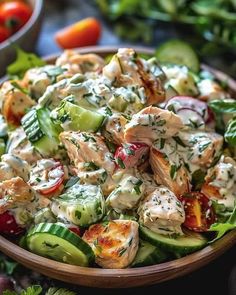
(130, 277)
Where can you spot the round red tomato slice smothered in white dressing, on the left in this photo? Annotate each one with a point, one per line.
(47, 180)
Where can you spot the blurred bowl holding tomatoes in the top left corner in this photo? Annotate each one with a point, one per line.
(25, 38)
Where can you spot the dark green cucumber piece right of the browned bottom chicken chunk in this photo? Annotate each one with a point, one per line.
(148, 255)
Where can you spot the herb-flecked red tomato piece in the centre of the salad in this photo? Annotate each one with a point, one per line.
(131, 154)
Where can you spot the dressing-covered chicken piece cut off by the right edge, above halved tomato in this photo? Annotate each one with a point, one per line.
(220, 182)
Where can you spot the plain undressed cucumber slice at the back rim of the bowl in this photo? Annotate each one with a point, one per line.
(178, 52)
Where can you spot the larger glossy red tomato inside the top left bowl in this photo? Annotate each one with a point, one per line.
(15, 14)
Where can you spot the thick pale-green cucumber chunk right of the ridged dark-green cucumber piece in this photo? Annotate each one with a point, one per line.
(74, 117)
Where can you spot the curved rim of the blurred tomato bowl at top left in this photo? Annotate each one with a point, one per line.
(37, 10)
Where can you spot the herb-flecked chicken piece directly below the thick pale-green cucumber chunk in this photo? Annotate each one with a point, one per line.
(85, 147)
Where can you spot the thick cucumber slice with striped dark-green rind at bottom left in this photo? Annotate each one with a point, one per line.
(59, 243)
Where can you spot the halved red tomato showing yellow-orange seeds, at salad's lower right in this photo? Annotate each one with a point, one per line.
(199, 213)
